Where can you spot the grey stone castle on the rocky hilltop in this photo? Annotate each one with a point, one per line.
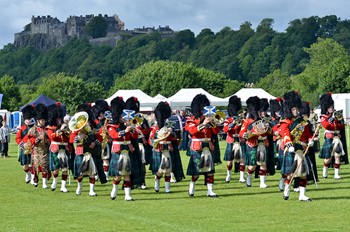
(46, 32)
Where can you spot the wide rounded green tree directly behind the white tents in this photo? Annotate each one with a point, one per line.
(167, 77)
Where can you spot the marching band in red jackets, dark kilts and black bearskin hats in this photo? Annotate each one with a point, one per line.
(114, 142)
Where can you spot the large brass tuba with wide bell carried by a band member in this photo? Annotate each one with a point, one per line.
(79, 122)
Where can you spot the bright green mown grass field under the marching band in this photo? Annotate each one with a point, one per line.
(25, 208)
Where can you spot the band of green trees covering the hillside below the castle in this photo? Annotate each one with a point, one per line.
(311, 56)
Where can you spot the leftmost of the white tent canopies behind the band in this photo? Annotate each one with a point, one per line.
(147, 103)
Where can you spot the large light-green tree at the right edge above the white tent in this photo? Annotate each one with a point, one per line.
(328, 70)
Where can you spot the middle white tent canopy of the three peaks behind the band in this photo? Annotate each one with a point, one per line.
(184, 97)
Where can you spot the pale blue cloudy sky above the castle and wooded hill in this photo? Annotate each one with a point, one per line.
(177, 14)
